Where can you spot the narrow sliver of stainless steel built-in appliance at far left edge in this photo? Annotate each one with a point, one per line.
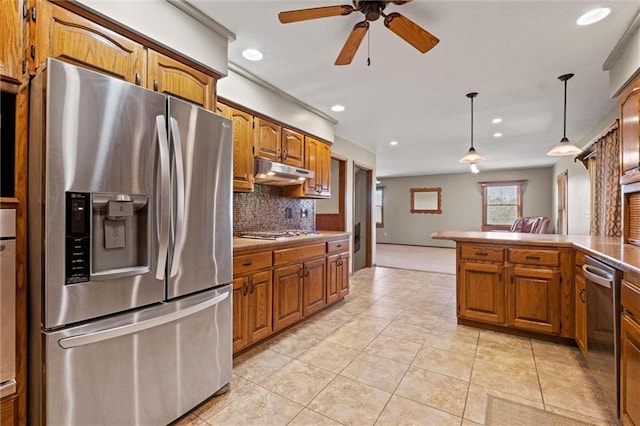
(7, 302)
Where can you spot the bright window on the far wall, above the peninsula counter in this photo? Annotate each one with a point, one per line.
(501, 204)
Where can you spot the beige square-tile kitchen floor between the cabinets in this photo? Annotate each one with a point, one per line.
(392, 353)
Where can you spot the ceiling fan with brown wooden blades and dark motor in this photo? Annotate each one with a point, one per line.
(408, 30)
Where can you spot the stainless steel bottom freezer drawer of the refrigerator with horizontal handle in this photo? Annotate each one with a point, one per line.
(143, 368)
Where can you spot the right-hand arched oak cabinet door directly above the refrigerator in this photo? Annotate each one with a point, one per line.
(171, 77)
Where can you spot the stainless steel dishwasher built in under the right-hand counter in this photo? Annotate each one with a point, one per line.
(603, 327)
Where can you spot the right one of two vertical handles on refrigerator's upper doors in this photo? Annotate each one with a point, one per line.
(179, 175)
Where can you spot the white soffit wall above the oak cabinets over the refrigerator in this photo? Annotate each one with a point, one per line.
(160, 21)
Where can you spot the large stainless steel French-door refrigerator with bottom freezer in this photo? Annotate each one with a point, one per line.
(130, 251)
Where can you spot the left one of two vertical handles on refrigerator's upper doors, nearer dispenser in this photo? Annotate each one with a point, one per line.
(162, 208)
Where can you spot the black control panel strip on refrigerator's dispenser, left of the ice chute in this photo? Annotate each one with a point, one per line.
(78, 240)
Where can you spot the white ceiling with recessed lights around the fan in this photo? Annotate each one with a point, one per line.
(510, 52)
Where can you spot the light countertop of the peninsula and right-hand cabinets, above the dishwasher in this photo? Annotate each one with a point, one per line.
(611, 250)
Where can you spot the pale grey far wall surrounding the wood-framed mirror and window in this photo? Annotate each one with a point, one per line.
(461, 204)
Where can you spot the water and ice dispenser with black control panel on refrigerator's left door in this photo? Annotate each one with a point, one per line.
(107, 236)
